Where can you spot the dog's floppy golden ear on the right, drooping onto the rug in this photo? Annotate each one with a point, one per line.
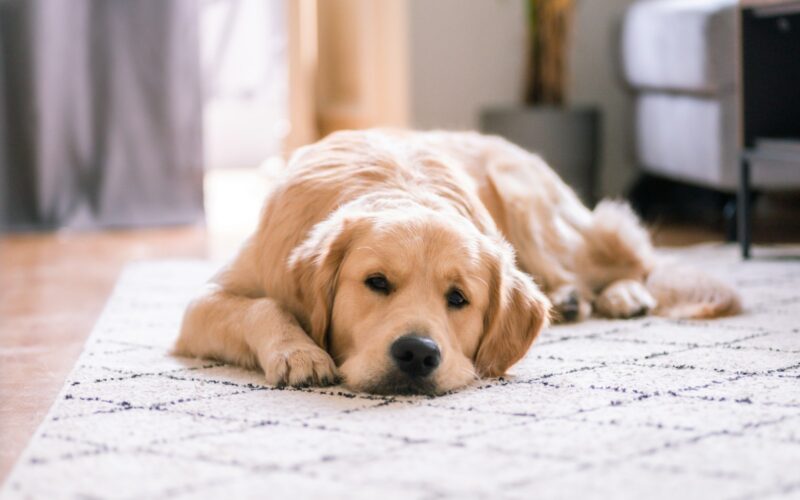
(517, 312)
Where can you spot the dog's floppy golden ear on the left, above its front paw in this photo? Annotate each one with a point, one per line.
(314, 265)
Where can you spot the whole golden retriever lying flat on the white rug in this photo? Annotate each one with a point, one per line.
(413, 262)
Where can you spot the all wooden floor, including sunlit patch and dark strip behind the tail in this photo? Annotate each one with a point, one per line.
(53, 286)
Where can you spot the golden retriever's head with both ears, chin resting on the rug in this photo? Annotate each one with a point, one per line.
(413, 301)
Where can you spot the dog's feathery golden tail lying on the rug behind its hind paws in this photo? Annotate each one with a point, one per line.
(683, 292)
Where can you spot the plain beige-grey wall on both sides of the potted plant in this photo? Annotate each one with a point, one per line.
(468, 54)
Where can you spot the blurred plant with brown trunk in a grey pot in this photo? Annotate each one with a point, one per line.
(565, 136)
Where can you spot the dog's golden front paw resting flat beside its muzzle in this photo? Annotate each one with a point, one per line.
(298, 366)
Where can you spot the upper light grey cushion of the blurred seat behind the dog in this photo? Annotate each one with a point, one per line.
(684, 45)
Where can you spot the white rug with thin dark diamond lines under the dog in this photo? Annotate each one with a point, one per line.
(646, 408)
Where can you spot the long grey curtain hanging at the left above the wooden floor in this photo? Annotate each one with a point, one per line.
(100, 113)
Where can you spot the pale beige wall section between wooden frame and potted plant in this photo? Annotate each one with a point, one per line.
(464, 55)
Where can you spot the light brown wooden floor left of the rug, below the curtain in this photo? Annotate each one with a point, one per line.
(52, 288)
